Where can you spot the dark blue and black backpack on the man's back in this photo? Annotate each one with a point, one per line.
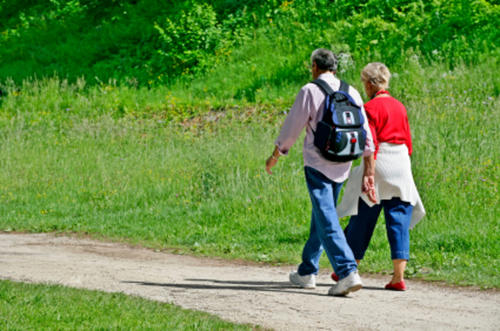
(340, 135)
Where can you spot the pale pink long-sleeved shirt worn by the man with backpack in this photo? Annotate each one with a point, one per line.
(307, 111)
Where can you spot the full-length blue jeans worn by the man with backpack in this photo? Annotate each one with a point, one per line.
(326, 232)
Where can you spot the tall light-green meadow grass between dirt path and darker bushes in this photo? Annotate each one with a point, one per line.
(199, 185)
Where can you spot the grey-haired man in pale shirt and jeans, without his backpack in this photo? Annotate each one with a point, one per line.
(324, 180)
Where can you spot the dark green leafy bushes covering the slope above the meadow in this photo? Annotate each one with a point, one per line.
(156, 42)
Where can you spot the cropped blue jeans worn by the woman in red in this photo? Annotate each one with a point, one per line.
(397, 214)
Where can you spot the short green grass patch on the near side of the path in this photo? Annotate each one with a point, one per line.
(43, 307)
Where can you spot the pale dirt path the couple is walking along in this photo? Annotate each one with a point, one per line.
(242, 293)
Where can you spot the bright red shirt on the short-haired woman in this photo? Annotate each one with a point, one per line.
(388, 122)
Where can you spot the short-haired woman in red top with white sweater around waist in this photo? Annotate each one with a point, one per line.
(395, 189)
